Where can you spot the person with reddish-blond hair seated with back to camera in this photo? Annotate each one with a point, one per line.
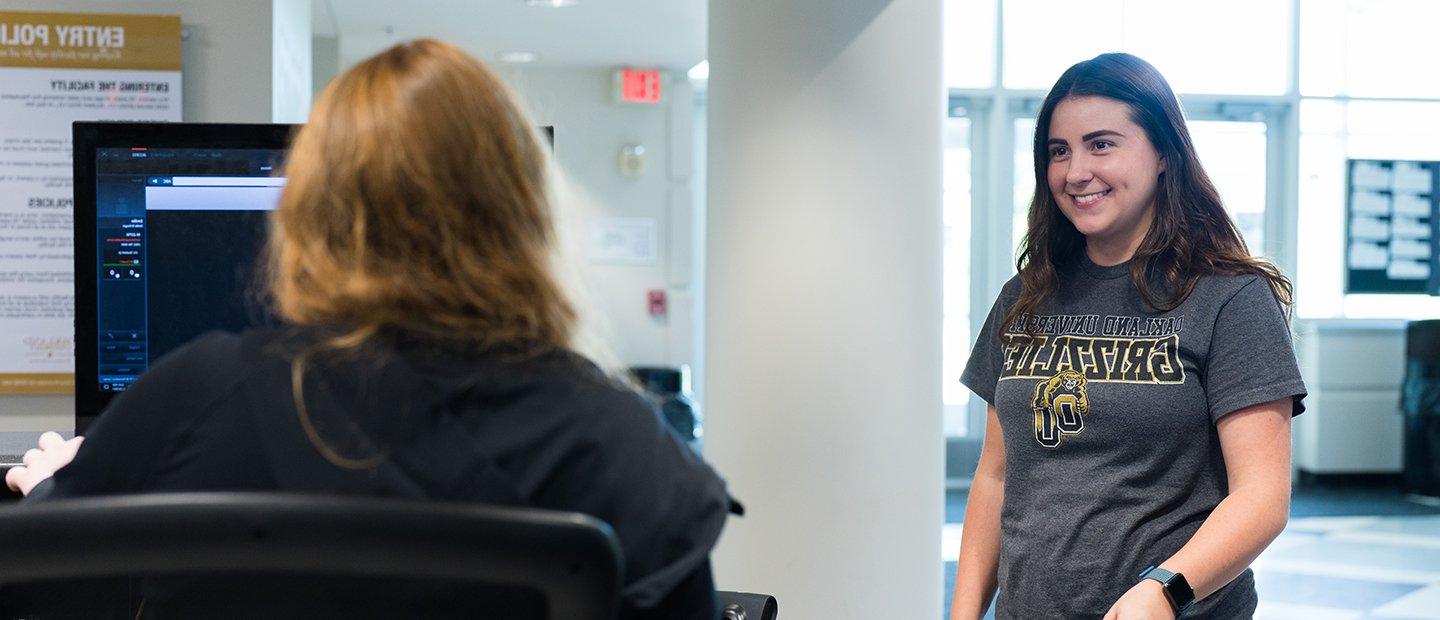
(427, 349)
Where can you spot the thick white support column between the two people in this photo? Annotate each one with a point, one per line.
(824, 303)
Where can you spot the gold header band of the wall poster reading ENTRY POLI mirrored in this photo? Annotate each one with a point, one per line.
(90, 41)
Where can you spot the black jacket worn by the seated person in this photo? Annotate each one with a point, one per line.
(418, 421)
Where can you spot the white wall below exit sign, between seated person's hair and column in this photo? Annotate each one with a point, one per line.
(590, 133)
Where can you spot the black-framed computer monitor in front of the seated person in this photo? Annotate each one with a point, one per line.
(169, 221)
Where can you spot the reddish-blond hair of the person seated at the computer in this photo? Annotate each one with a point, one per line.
(417, 206)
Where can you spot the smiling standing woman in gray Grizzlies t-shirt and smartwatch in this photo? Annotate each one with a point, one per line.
(1140, 378)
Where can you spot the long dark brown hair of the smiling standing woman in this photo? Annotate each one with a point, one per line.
(1192, 235)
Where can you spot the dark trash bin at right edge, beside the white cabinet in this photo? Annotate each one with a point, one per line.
(1421, 405)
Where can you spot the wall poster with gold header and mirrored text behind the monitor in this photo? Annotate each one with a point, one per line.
(58, 68)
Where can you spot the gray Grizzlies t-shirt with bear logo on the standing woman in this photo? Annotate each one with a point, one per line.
(1112, 460)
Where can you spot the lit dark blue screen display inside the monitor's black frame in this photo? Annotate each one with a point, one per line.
(178, 232)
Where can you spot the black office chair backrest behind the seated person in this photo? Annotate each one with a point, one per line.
(546, 565)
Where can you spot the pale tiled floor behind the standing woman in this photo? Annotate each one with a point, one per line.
(1383, 565)
